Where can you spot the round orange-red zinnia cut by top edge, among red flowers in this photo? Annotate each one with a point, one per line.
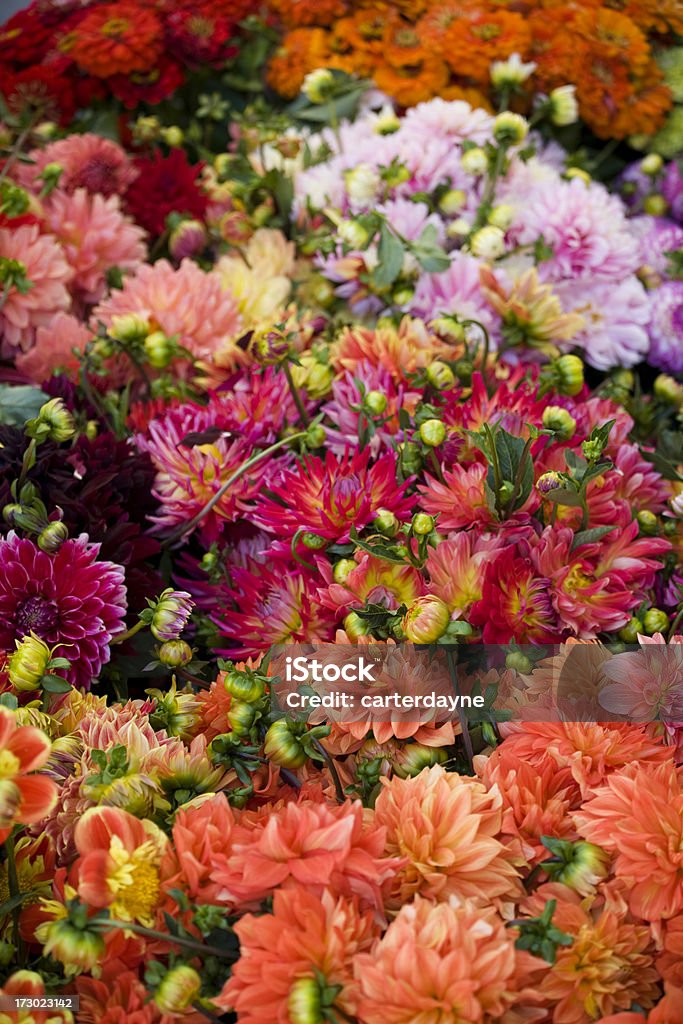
(117, 38)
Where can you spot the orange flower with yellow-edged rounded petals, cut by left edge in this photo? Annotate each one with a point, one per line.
(25, 798)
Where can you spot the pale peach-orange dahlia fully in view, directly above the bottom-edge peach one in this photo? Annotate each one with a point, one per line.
(447, 826)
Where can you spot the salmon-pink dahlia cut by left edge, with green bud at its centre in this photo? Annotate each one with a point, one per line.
(37, 260)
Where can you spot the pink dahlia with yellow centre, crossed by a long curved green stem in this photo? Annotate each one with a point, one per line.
(190, 475)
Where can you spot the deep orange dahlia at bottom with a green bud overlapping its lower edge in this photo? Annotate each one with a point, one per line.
(305, 935)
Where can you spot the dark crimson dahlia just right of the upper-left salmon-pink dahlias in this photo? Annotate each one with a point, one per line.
(165, 186)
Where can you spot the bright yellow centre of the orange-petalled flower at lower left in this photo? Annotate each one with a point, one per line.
(135, 882)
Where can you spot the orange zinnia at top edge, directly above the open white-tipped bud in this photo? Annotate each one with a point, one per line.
(485, 35)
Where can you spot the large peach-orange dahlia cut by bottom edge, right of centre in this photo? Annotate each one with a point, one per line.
(454, 963)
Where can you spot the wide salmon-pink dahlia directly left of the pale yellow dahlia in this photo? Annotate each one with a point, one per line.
(187, 303)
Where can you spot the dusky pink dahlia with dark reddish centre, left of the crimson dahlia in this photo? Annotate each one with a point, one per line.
(88, 162)
